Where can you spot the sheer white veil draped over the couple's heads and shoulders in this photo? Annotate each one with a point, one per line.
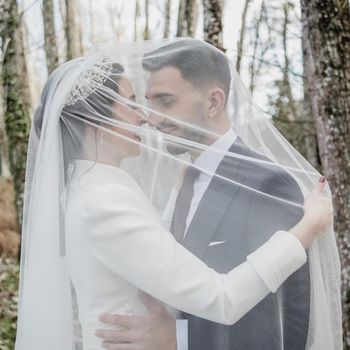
(46, 311)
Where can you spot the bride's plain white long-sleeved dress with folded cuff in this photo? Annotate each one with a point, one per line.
(98, 234)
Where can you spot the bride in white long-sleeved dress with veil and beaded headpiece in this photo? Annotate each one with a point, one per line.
(95, 186)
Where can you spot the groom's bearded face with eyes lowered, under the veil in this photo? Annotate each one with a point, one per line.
(175, 101)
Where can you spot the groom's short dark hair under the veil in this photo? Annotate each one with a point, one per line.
(199, 63)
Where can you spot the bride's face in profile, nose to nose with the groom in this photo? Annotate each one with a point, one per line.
(128, 144)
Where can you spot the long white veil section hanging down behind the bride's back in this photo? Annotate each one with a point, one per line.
(45, 304)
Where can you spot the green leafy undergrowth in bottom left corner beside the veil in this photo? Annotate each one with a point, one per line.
(9, 271)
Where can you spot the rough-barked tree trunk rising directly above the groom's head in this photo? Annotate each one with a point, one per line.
(212, 22)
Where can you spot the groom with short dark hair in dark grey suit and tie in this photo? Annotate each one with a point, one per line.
(223, 222)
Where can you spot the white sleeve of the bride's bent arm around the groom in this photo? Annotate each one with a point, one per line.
(126, 237)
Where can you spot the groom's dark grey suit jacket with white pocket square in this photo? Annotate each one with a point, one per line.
(234, 219)
